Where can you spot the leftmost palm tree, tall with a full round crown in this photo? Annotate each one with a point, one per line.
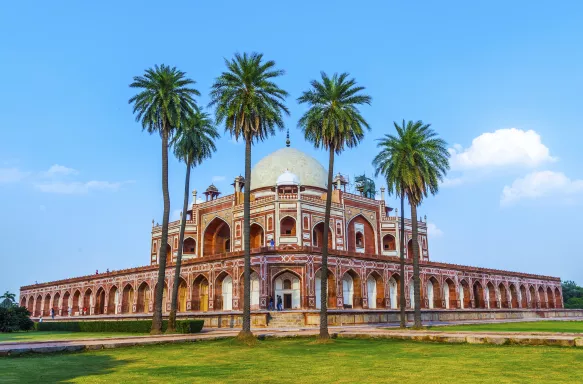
(164, 100)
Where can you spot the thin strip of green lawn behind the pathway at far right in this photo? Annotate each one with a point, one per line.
(534, 326)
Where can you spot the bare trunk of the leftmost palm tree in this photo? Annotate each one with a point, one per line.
(157, 317)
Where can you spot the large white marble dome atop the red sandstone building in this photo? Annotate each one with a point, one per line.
(307, 170)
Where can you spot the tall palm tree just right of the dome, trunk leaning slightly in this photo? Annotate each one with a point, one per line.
(333, 122)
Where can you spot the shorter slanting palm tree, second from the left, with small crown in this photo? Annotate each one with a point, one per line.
(193, 143)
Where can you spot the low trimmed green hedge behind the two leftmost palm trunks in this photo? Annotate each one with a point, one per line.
(133, 326)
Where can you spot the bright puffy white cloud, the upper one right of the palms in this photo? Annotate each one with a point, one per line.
(504, 147)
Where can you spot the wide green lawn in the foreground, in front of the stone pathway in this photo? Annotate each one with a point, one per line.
(302, 361)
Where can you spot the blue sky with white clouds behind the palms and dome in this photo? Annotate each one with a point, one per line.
(500, 81)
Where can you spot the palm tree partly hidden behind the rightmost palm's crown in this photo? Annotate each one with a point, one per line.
(390, 162)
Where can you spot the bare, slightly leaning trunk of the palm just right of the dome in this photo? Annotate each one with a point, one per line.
(324, 271)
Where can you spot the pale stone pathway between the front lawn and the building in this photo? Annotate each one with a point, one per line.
(367, 331)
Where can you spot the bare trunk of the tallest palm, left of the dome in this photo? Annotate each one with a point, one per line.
(246, 331)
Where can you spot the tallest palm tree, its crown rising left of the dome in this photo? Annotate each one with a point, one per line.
(252, 106)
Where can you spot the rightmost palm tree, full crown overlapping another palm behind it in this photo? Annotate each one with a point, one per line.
(421, 161)
